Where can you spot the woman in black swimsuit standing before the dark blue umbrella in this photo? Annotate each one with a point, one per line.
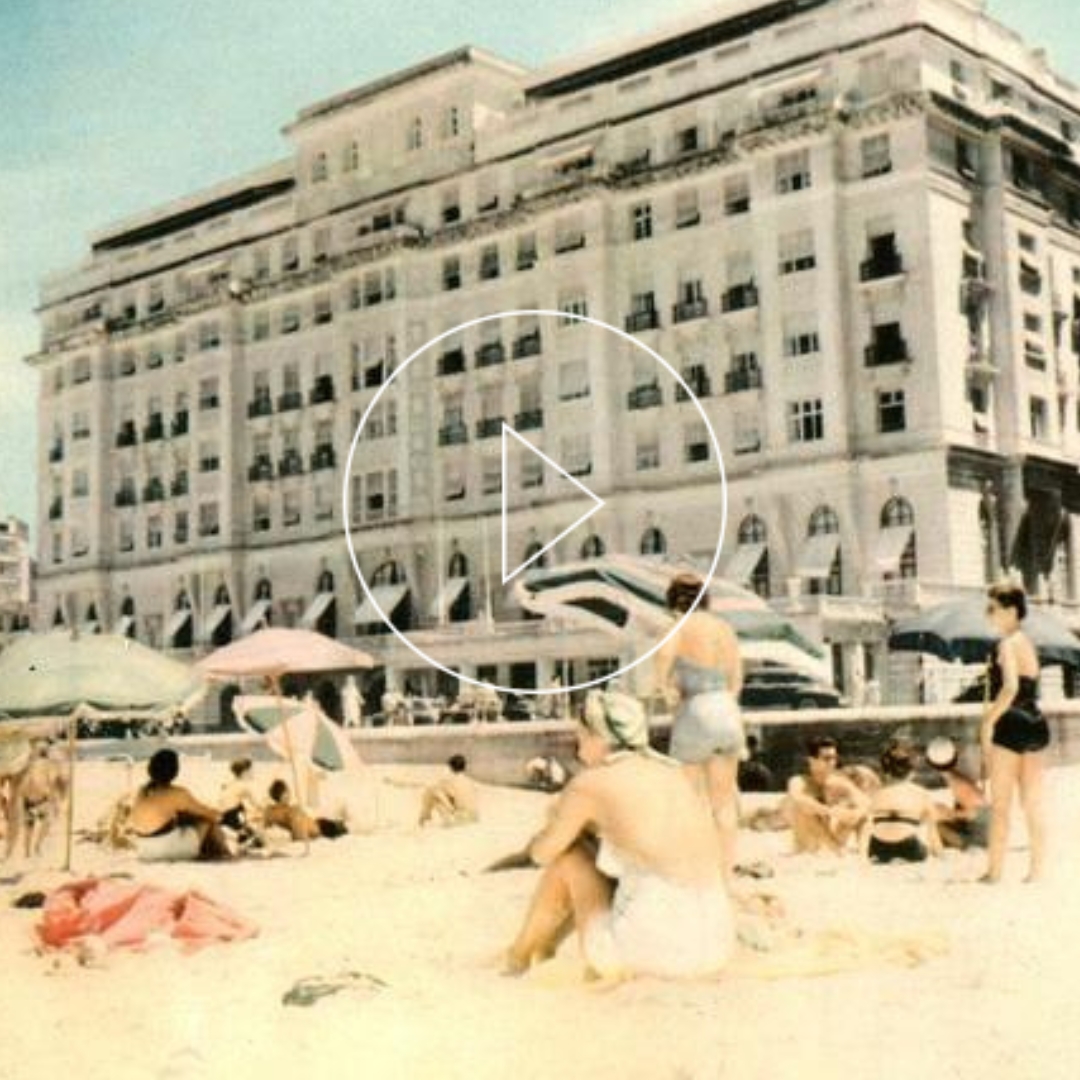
(1015, 733)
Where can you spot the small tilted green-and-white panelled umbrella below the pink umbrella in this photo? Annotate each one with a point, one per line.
(301, 725)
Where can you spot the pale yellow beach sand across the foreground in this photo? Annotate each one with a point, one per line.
(412, 910)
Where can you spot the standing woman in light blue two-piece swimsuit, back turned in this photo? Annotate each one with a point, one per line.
(700, 667)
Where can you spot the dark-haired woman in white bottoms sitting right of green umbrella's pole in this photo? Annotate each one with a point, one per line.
(169, 823)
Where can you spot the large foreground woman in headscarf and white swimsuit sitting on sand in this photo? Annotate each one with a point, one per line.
(650, 899)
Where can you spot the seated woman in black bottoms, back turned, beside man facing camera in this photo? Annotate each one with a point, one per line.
(902, 814)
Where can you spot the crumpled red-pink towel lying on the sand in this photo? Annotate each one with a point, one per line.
(125, 914)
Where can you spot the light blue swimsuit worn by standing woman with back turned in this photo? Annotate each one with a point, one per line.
(708, 719)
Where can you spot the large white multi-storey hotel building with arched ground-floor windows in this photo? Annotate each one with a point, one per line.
(854, 225)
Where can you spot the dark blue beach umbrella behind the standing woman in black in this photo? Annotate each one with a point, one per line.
(960, 630)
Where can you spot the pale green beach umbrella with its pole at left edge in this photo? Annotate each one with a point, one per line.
(63, 679)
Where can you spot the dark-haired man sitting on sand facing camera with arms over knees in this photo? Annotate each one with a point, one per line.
(825, 807)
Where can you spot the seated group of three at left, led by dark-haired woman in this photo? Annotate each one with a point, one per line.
(168, 823)
